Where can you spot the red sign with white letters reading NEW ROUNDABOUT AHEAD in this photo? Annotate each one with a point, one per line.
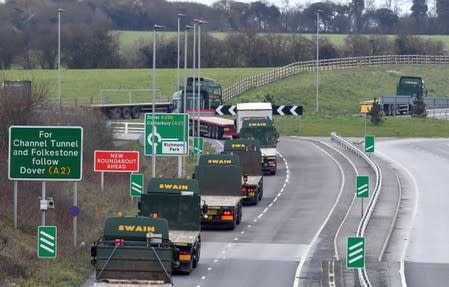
(119, 161)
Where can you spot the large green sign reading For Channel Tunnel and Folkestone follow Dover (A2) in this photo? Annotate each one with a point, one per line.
(50, 153)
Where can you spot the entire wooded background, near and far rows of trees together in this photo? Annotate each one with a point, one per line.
(29, 29)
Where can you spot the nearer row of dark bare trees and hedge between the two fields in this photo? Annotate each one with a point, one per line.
(86, 48)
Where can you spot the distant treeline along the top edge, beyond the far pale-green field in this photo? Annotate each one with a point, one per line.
(356, 16)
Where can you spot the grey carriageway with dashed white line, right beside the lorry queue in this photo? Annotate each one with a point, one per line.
(266, 248)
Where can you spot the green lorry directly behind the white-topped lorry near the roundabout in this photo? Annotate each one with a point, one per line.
(263, 130)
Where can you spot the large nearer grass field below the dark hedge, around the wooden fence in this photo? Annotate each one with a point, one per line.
(339, 93)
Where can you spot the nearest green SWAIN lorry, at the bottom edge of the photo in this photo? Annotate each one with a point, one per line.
(134, 251)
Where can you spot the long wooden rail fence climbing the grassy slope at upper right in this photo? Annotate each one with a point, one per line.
(327, 64)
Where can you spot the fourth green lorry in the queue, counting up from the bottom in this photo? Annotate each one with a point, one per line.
(250, 158)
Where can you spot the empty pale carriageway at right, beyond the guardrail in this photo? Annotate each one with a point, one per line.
(427, 162)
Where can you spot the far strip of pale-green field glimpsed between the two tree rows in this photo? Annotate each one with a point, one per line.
(128, 39)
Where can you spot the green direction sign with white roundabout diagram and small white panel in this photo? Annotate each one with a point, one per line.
(171, 133)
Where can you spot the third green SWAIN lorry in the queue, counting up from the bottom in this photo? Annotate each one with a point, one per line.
(219, 178)
